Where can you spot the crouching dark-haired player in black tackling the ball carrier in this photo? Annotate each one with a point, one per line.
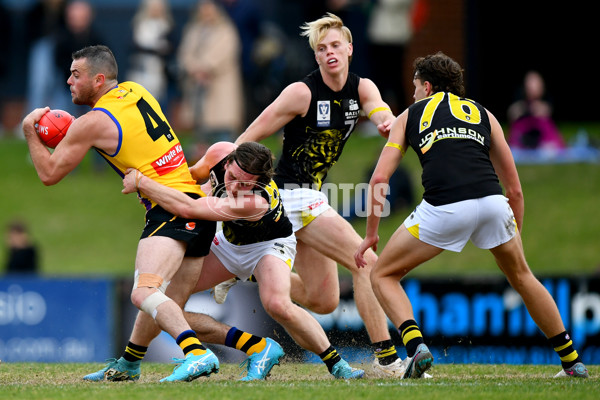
(257, 239)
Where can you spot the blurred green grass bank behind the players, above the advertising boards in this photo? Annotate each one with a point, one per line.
(85, 226)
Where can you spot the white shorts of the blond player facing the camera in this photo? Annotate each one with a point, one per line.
(302, 205)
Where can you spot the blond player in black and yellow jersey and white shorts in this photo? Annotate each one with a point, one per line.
(318, 115)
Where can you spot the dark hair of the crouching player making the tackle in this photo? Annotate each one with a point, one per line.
(256, 159)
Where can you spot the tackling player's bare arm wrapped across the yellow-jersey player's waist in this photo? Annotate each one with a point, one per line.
(245, 206)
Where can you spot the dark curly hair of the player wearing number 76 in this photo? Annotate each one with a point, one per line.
(444, 74)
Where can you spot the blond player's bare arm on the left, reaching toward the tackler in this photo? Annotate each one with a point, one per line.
(292, 101)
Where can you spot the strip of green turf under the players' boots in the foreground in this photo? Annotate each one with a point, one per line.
(298, 381)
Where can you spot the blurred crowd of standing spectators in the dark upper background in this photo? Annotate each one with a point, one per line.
(213, 64)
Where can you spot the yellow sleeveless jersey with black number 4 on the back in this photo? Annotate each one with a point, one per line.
(146, 140)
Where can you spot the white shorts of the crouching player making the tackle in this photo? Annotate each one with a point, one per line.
(241, 260)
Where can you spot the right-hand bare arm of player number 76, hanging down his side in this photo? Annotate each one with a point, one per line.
(504, 164)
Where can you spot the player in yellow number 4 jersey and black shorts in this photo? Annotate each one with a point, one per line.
(128, 128)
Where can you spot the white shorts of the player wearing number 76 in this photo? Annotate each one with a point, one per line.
(488, 222)
